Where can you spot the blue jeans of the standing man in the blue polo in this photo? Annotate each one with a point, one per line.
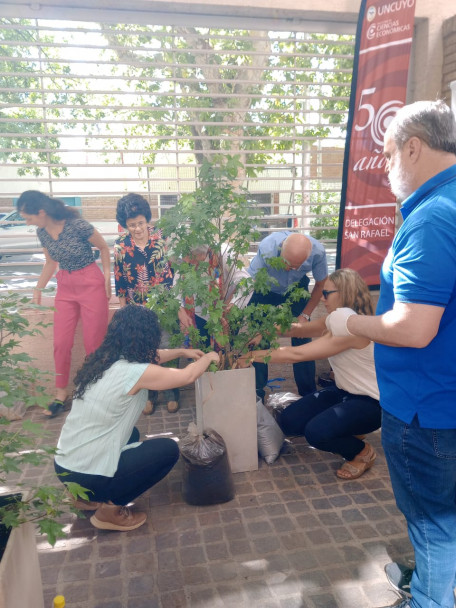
(422, 466)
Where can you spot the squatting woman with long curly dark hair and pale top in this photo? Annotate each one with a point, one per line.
(98, 446)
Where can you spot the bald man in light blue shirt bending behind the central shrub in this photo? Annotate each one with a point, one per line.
(302, 255)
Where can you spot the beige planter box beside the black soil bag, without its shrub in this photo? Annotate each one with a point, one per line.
(226, 402)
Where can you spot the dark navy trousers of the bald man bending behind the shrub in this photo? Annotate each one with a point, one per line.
(304, 371)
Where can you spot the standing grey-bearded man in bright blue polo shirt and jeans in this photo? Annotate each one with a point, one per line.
(415, 331)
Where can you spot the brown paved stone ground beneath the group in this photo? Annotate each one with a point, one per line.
(294, 536)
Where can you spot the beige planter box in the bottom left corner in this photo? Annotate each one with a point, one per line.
(20, 576)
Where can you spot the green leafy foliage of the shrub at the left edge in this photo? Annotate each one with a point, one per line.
(21, 442)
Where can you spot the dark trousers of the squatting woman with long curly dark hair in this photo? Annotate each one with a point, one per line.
(138, 470)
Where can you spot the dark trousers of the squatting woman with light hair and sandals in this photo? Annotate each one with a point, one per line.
(330, 418)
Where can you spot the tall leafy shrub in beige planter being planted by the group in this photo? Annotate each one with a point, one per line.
(219, 215)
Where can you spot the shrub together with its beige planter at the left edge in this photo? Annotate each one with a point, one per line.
(22, 505)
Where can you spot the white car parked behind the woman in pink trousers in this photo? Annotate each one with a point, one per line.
(18, 238)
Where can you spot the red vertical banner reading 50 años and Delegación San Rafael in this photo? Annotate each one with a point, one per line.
(379, 87)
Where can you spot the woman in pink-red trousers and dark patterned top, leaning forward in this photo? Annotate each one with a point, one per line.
(83, 291)
